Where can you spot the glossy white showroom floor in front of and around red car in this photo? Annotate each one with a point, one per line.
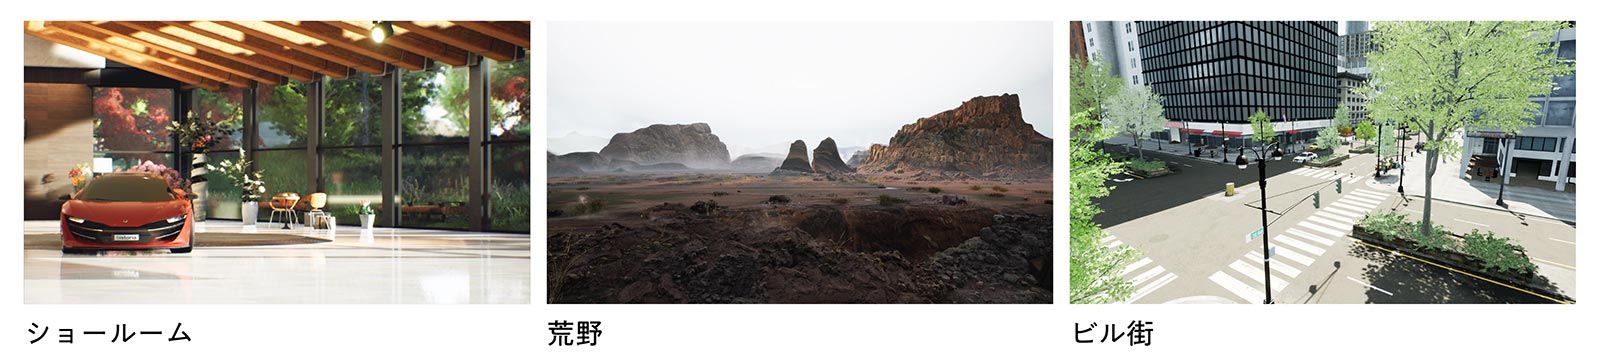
(244, 265)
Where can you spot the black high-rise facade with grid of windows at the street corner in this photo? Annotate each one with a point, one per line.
(1214, 74)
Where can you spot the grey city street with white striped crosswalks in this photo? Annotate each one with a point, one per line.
(1196, 247)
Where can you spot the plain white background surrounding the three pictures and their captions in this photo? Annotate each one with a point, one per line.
(782, 329)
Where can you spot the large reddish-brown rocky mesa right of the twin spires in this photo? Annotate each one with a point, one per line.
(983, 139)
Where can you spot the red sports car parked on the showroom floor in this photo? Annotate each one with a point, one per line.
(127, 212)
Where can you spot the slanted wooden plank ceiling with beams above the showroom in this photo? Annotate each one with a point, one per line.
(236, 54)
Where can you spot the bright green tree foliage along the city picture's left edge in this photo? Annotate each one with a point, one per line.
(1097, 268)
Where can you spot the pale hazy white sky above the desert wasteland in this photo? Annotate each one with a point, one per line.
(762, 86)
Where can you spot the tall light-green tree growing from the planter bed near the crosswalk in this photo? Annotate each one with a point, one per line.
(1444, 78)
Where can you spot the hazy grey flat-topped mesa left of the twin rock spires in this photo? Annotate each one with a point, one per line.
(690, 145)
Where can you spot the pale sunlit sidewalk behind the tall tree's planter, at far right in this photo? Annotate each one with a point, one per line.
(1478, 193)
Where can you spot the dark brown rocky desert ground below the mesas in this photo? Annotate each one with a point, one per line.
(902, 247)
